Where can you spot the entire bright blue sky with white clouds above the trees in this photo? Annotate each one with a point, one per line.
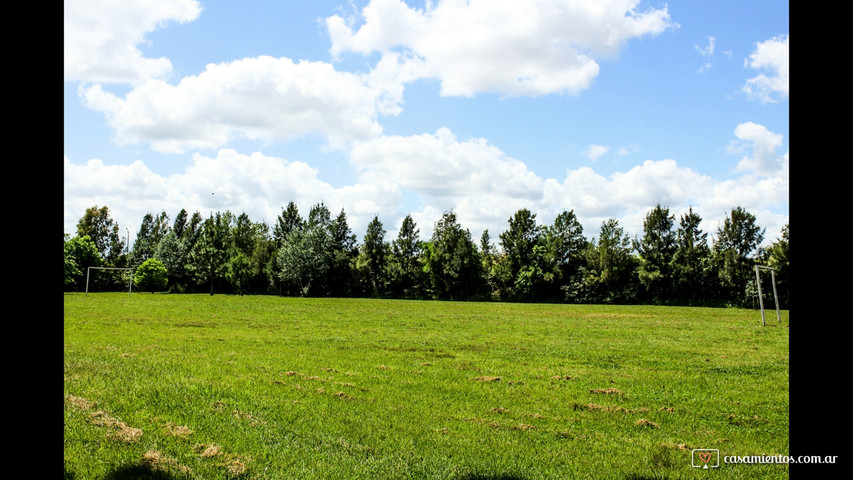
(387, 108)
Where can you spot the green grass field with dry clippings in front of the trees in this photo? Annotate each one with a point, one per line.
(264, 387)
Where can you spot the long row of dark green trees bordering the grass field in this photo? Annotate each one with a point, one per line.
(673, 262)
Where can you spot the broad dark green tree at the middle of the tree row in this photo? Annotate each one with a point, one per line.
(452, 263)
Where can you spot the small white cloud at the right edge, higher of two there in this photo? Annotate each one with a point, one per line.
(771, 56)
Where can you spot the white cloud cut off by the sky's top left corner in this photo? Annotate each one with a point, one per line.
(101, 38)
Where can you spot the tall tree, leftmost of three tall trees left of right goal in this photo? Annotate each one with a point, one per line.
(656, 250)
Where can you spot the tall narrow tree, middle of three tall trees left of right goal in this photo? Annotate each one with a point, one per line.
(691, 259)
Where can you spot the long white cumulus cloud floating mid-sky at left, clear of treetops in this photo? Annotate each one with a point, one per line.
(263, 98)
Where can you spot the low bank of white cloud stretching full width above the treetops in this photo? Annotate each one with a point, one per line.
(472, 177)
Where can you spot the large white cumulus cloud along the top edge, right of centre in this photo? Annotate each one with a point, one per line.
(501, 46)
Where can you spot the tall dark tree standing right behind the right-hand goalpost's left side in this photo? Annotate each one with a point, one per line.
(736, 250)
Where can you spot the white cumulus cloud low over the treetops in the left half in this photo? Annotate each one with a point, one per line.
(257, 184)
